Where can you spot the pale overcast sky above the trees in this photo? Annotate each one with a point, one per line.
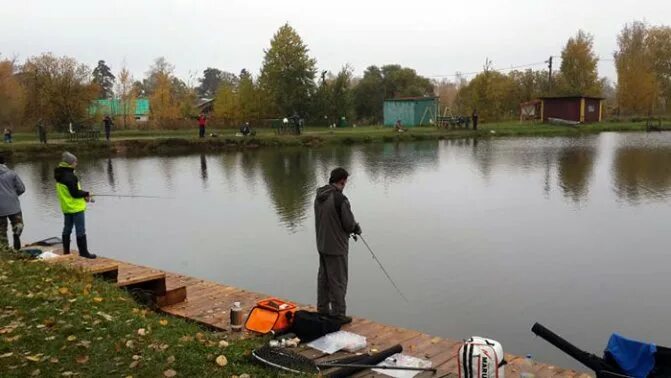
(435, 37)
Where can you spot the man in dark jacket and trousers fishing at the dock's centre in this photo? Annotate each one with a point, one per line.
(334, 223)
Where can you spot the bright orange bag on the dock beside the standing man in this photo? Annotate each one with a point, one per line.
(270, 314)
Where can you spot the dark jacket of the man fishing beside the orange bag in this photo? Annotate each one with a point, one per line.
(334, 221)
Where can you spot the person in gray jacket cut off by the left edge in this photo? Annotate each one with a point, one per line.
(11, 187)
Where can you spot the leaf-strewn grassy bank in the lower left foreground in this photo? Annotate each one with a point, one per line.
(56, 321)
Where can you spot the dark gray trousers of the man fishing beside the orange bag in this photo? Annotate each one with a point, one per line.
(332, 285)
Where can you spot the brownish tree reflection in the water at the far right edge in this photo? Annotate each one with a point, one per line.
(642, 173)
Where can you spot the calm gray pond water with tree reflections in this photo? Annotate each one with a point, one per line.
(484, 237)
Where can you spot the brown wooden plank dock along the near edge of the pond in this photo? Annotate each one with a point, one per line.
(208, 303)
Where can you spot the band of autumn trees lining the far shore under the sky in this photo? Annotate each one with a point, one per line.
(59, 90)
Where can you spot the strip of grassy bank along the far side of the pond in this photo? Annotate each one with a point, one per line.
(147, 142)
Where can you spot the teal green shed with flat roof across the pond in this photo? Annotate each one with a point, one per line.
(411, 111)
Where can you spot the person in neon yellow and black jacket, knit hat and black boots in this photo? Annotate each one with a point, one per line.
(73, 204)
